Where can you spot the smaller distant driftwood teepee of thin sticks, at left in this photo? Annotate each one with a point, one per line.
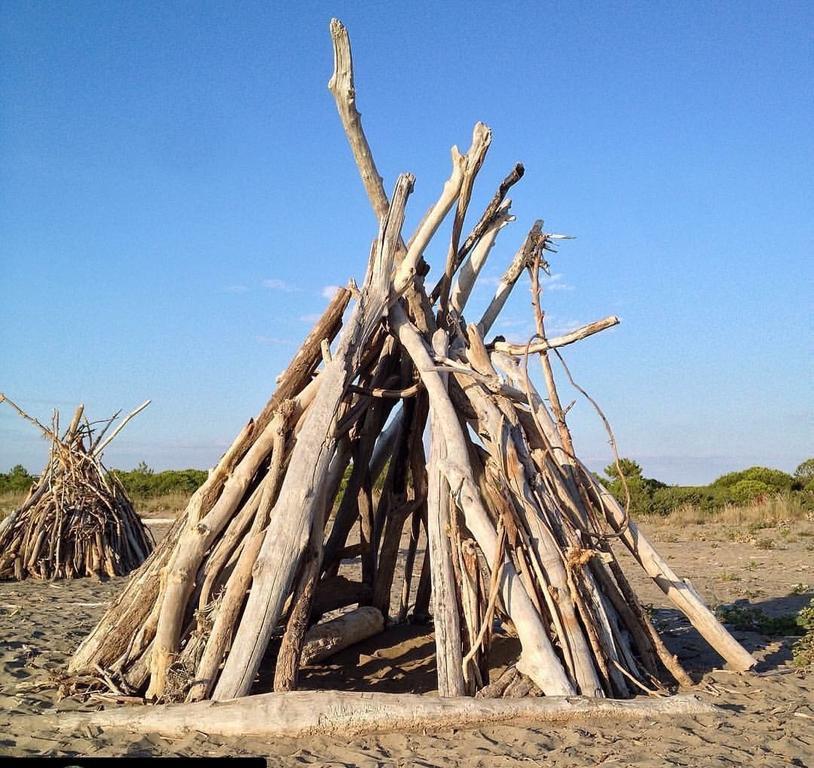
(77, 519)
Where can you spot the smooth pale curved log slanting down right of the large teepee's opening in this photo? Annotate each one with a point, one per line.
(538, 660)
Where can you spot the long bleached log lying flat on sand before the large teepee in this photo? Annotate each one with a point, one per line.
(307, 713)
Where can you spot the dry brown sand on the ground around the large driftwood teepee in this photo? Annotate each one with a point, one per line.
(764, 720)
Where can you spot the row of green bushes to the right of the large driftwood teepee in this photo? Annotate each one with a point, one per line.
(649, 496)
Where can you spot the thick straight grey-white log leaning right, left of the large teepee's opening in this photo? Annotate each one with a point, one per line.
(303, 487)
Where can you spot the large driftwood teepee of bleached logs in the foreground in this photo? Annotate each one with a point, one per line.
(518, 530)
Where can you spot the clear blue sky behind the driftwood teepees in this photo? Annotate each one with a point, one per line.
(176, 193)
